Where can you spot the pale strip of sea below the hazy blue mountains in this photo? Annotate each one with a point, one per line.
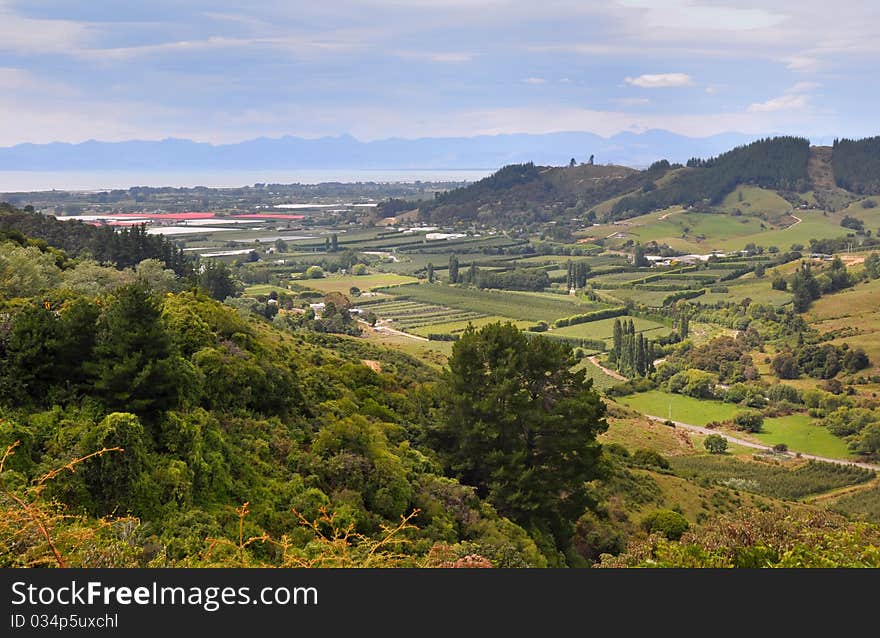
(27, 181)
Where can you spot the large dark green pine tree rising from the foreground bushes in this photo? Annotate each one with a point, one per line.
(520, 426)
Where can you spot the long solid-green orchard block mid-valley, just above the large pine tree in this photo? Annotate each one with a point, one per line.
(514, 305)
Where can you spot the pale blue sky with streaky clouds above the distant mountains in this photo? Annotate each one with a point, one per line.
(221, 71)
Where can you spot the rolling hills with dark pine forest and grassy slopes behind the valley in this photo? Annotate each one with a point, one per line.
(768, 178)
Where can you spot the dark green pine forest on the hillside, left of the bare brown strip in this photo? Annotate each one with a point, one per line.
(779, 163)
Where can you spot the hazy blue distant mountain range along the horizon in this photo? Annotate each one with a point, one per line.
(481, 152)
